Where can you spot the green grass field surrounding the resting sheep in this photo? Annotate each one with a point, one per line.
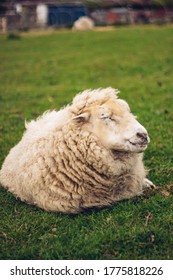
(41, 72)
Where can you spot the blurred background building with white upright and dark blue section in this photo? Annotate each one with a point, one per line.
(25, 14)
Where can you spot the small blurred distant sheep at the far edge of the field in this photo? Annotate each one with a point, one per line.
(83, 23)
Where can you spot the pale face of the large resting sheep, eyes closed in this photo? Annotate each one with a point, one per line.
(116, 128)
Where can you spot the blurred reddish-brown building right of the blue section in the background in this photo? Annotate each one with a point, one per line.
(131, 12)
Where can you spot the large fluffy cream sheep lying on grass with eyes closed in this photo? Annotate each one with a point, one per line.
(88, 154)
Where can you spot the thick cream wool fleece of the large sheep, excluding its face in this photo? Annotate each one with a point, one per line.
(60, 166)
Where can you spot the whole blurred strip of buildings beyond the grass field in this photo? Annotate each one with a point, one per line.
(23, 15)
